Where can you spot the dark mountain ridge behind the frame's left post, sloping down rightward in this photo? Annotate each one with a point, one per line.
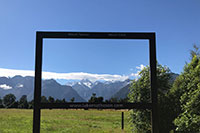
(19, 86)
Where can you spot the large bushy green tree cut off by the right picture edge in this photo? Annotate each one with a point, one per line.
(186, 92)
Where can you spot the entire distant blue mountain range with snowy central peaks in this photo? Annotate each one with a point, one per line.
(81, 90)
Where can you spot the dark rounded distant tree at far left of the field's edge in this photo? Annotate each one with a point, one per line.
(9, 101)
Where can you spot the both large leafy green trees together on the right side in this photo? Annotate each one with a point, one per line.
(178, 102)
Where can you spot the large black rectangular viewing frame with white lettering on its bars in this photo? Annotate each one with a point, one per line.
(85, 105)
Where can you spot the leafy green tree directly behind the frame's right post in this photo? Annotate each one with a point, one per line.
(140, 92)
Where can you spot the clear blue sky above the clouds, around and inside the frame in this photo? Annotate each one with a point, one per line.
(176, 24)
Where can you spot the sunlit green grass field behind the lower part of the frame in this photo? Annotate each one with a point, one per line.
(64, 121)
